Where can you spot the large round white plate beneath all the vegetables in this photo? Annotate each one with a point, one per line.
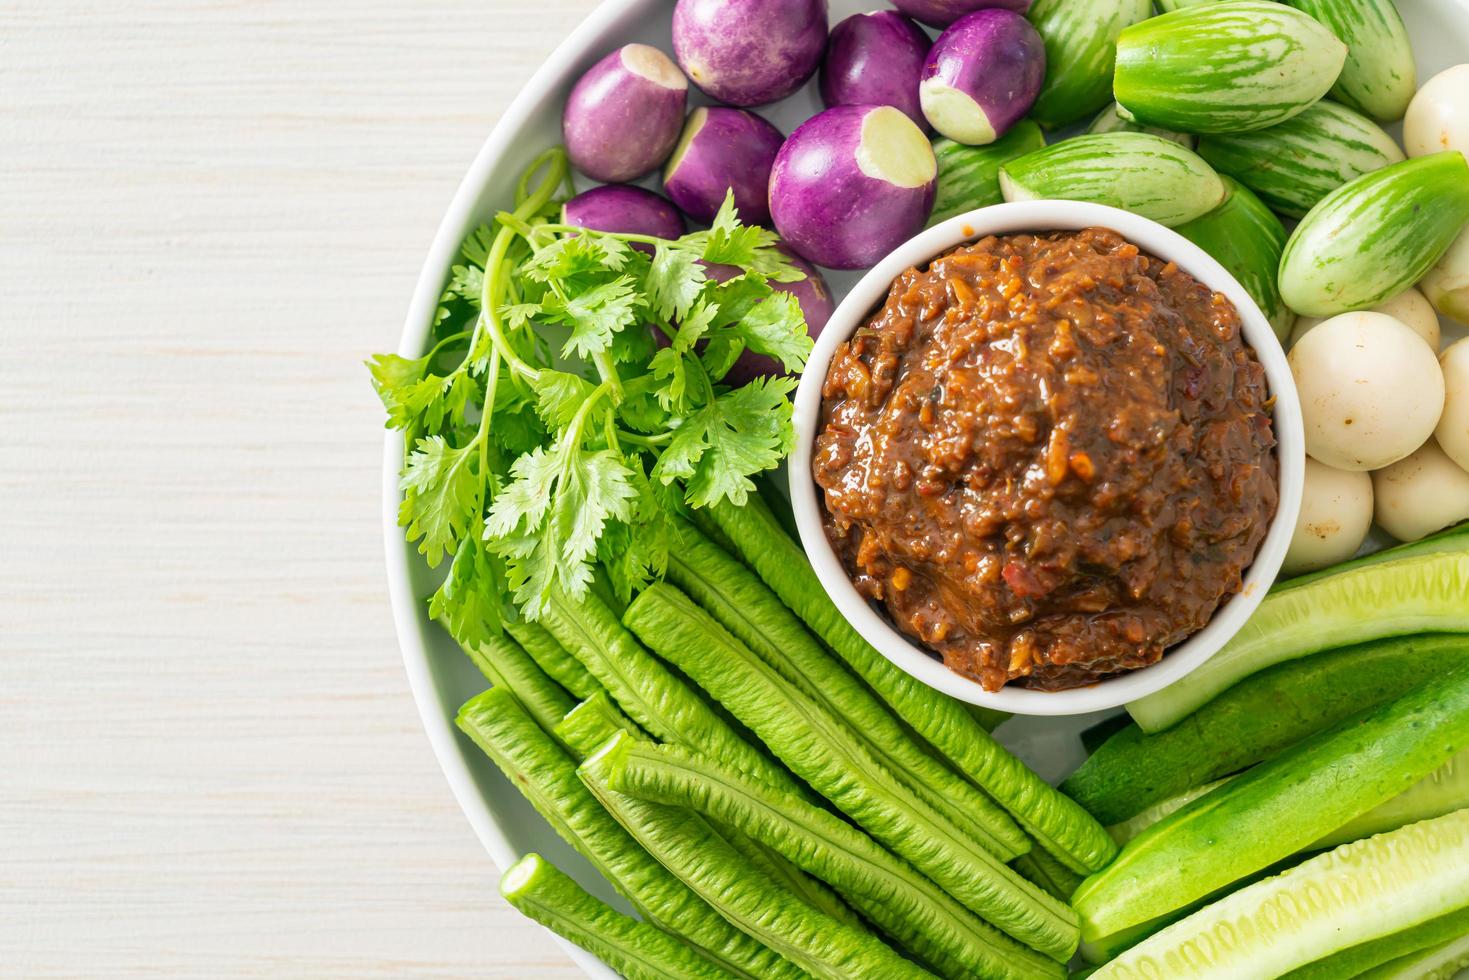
(440, 675)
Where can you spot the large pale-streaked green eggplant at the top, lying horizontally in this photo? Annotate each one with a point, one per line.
(1227, 67)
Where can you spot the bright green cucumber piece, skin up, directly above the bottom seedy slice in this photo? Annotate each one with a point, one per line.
(1280, 806)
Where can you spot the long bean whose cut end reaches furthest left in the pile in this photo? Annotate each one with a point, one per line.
(546, 775)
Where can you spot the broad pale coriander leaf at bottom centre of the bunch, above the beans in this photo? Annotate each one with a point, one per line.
(549, 519)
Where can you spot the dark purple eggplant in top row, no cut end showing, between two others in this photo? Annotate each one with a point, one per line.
(876, 60)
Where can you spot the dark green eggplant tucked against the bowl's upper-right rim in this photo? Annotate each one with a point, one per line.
(1248, 240)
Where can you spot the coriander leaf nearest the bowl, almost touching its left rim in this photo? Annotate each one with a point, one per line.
(719, 447)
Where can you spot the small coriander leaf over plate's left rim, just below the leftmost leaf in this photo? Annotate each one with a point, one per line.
(441, 496)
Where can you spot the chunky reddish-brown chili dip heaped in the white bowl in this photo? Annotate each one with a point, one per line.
(1048, 456)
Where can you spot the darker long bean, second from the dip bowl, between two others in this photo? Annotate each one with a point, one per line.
(746, 606)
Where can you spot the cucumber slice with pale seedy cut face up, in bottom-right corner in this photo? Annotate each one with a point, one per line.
(1355, 894)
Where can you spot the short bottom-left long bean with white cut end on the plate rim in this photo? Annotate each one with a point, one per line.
(634, 950)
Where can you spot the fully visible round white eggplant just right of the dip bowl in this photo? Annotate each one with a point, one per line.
(1370, 387)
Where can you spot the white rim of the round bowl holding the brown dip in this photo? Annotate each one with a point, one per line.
(1048, 215)
